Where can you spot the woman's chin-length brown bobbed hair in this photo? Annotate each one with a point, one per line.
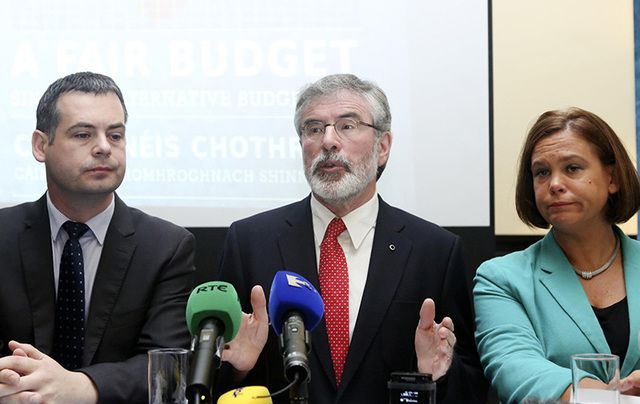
(621, 206)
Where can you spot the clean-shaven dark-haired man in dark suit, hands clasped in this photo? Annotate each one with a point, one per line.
(137, 269)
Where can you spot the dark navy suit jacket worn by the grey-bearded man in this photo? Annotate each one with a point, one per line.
(411, 260)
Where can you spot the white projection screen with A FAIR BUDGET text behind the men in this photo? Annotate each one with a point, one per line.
(210, 87)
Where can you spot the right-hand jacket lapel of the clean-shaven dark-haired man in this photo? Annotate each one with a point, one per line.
(119, 245)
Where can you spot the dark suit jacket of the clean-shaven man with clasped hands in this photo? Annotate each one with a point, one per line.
(138, 301)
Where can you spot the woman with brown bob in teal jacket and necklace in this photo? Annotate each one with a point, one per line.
(578, 289)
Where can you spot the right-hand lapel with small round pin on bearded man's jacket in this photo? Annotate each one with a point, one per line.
(388, 261)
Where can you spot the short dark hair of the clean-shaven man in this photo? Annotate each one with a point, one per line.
(47, 114)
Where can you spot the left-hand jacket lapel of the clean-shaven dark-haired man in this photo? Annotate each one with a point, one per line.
(38, 273)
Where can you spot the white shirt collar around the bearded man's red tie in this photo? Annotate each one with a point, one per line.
(358, 222)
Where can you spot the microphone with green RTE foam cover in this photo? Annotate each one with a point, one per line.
(213, 310)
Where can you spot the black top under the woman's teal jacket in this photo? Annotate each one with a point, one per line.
(614, 321)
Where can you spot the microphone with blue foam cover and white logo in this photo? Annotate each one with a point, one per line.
(295, 308)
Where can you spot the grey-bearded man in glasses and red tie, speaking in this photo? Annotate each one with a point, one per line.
(392, 267)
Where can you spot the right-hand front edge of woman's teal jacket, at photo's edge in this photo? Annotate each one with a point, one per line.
(631, 265)
